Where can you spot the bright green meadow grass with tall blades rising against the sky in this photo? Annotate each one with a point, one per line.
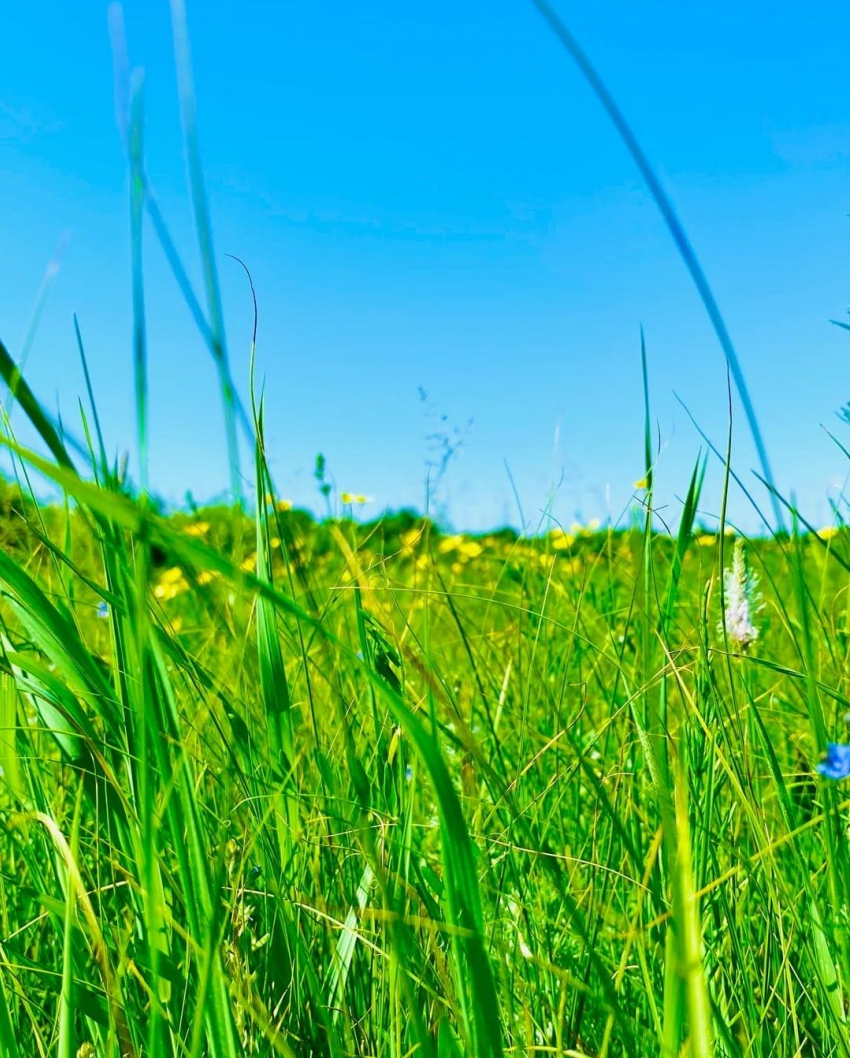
(281, 787)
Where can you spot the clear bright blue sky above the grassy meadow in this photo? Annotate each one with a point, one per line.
(429, 196)
